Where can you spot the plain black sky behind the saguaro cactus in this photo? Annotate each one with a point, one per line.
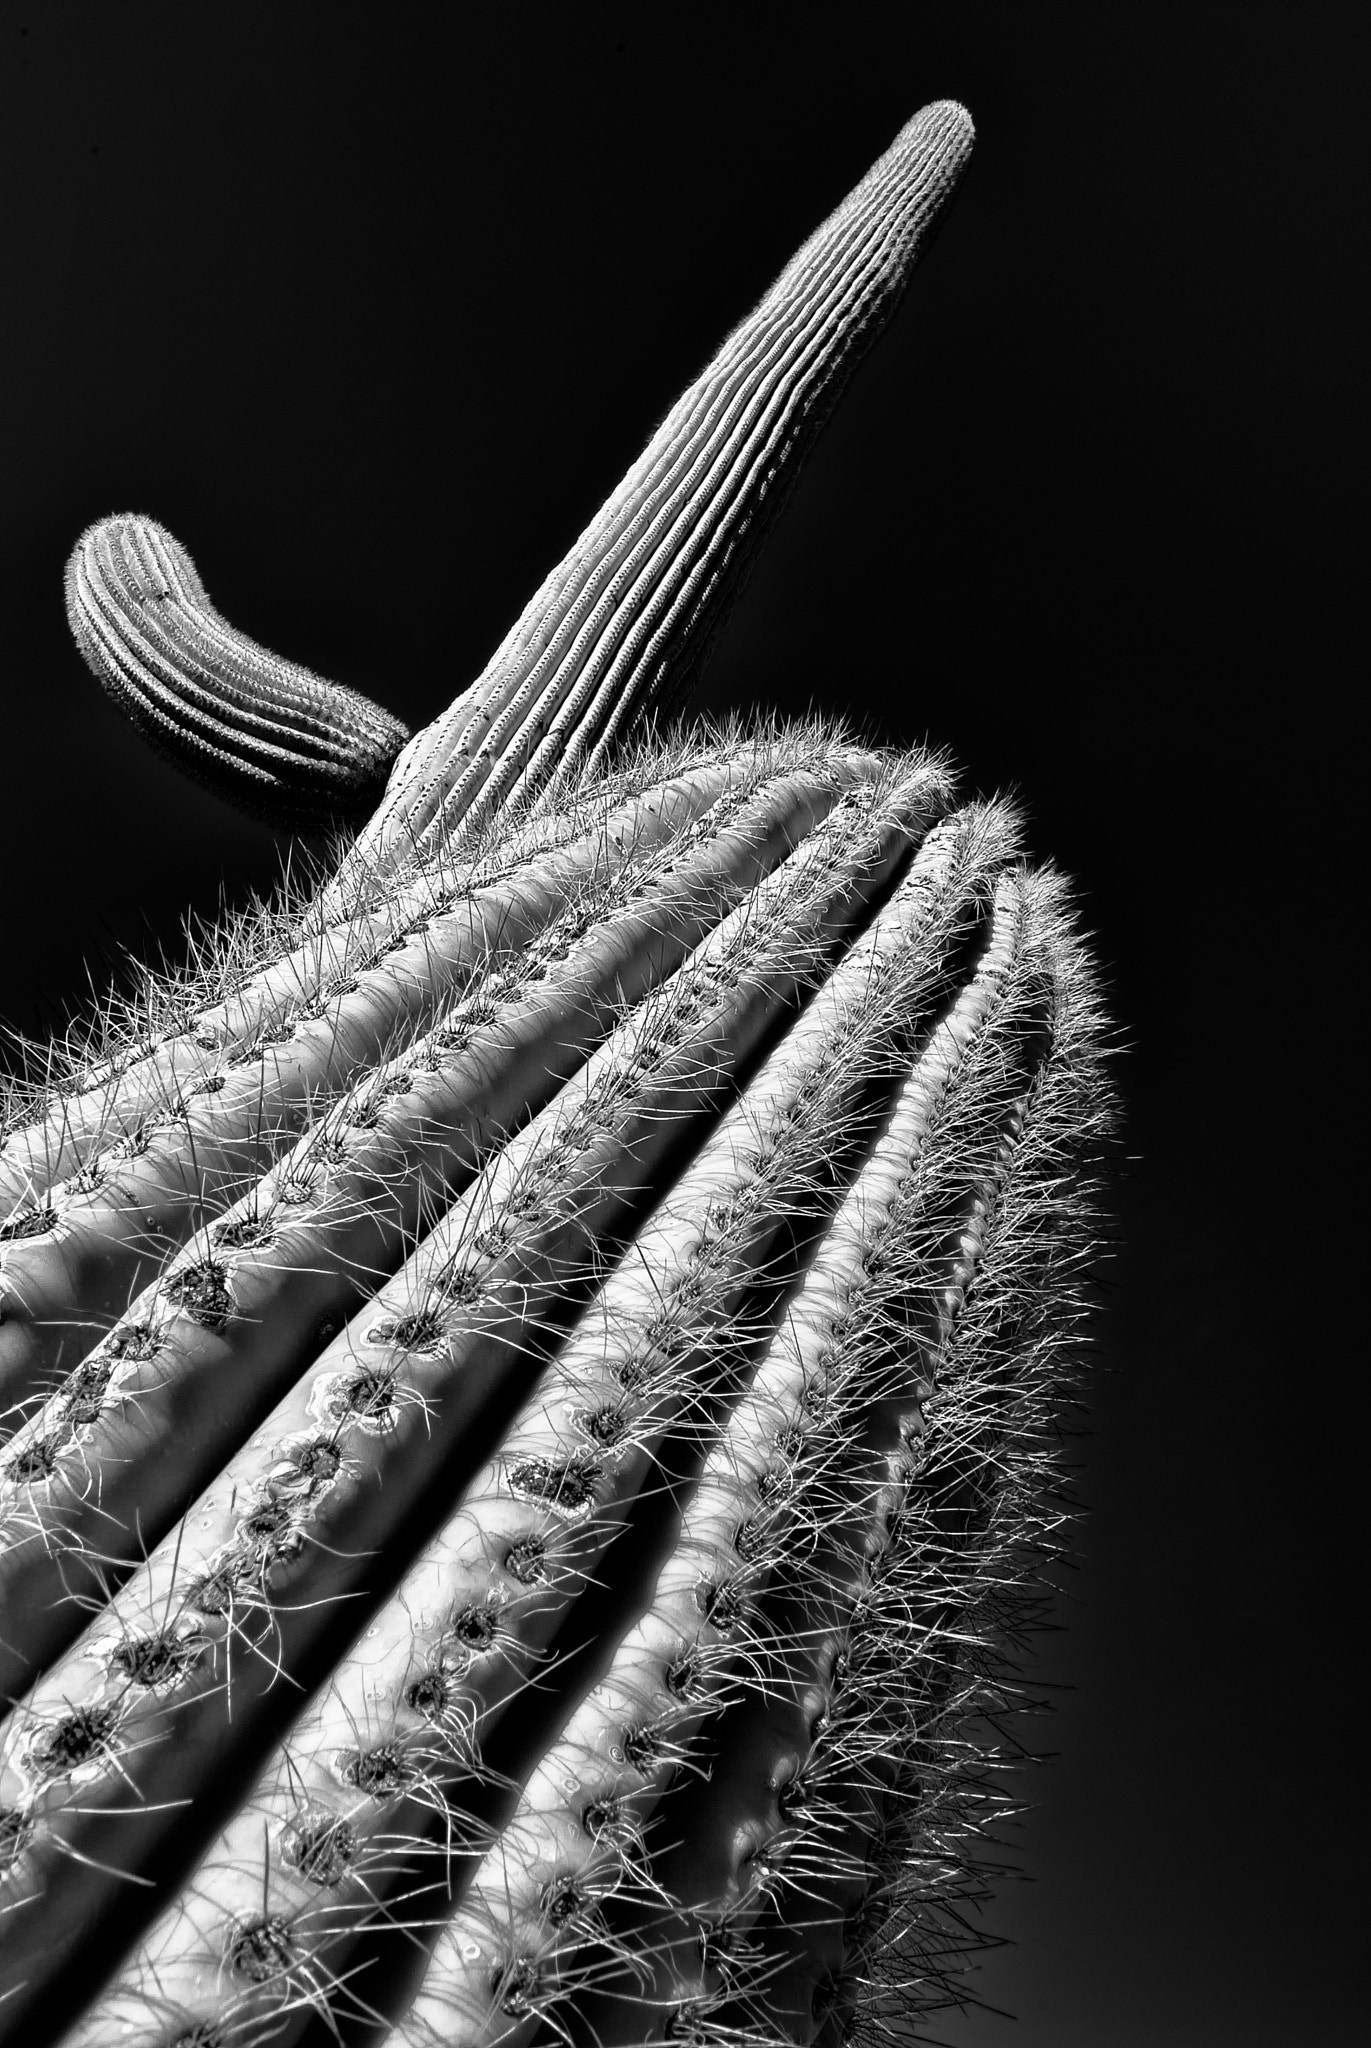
(372, 306)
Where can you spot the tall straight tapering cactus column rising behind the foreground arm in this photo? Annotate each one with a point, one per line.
(620, 628)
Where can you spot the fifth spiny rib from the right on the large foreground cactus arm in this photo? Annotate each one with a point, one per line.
(75, 1496)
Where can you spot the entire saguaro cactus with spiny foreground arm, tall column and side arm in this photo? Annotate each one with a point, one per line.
(532, 1377)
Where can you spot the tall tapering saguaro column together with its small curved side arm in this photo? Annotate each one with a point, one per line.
(614, 636)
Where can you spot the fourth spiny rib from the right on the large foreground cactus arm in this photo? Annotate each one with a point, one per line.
(401, 1408)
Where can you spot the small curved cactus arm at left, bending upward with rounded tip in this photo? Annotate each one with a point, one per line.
(267, 734)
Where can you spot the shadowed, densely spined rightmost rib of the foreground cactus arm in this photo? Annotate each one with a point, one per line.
(923, 1506)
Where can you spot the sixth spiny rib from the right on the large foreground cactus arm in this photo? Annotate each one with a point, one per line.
(97, 1238)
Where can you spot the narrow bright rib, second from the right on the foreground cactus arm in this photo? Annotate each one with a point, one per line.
(628, 1740)
